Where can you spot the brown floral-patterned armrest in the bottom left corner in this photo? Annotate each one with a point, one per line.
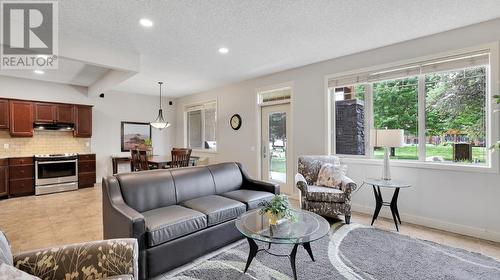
(91, 260)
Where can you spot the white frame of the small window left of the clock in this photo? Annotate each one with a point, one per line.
(196, 107)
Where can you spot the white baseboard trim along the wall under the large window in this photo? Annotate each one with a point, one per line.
(433, 223)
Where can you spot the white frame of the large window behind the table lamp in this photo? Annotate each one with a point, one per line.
(492, 119)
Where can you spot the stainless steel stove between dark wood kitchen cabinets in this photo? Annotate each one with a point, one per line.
(56, 173)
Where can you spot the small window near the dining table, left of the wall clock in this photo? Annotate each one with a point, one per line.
(201, 125)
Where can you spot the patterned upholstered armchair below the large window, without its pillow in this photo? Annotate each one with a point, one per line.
(324, 201)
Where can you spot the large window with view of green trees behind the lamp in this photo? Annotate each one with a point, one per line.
(441, 105)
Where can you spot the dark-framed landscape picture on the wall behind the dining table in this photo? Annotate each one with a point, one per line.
(135, 135)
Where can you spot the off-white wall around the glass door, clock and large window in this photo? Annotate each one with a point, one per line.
(465, 202)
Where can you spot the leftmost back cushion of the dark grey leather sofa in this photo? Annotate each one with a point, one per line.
(147, 190)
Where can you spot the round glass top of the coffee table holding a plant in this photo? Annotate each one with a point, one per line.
(308, 227)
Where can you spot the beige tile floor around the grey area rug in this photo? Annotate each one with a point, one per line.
(43, 221)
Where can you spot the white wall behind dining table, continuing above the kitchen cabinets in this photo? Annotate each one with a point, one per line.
(108, 113)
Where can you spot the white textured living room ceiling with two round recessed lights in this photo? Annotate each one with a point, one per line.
(263, 36)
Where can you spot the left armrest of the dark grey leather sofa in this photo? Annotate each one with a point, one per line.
(119, 219)
